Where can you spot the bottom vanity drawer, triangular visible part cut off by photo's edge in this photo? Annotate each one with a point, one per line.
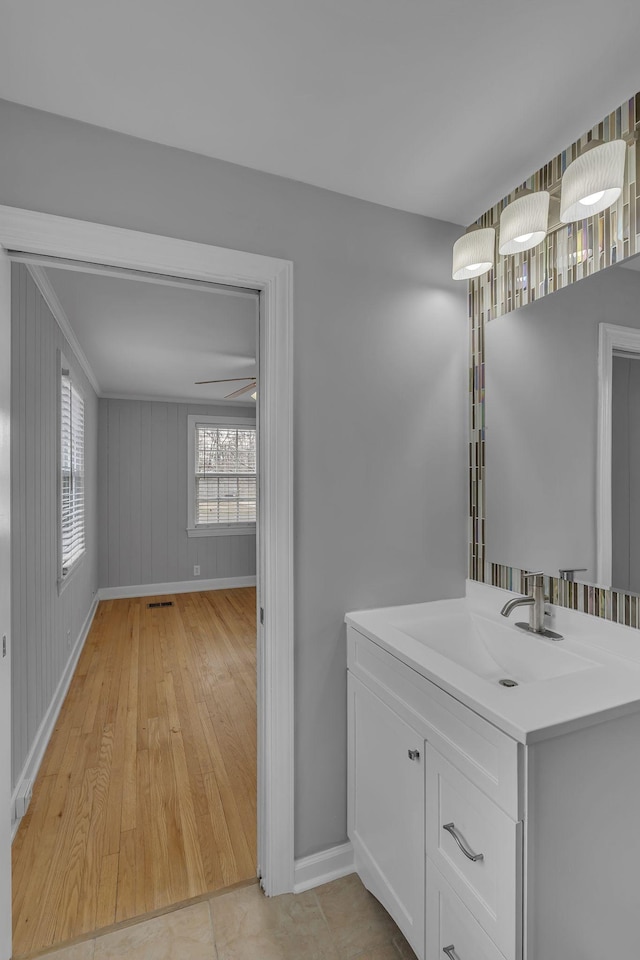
(450, 925)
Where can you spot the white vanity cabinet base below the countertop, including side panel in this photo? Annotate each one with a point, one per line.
(483, 847)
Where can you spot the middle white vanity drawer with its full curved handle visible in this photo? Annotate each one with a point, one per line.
(479, 853)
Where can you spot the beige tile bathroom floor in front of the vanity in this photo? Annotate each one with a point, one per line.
(339, 921)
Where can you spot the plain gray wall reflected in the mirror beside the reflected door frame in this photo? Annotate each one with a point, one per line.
(541, 384)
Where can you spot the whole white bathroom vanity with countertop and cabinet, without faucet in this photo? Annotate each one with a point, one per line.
(496, 822)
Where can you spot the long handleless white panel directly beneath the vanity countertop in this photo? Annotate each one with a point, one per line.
(486, 755)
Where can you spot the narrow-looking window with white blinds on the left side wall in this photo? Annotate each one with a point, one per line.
(72, 539)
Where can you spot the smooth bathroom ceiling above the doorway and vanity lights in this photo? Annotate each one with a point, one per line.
(435, 106)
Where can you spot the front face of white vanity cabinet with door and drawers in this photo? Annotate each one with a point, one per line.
(419, 761)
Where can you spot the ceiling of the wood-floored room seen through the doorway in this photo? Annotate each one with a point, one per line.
(154, 340)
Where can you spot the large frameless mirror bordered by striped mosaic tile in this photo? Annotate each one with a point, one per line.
(562, 393)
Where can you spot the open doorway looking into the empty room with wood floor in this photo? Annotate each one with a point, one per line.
(146, 795)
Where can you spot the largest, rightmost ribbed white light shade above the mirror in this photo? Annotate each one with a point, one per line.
(593, 181)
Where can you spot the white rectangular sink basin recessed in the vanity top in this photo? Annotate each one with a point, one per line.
(488, 649)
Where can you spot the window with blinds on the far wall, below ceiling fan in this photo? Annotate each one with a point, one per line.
(223, 479)
